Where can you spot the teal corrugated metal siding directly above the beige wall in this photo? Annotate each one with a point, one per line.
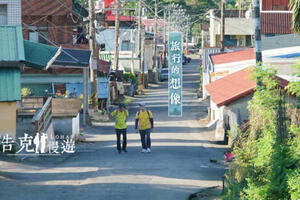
(10, 84)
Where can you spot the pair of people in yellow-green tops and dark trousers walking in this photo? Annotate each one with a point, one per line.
(143, 125)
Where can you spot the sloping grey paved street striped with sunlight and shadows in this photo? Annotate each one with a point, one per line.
(178, 165)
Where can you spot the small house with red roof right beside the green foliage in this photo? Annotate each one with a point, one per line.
(229, 97)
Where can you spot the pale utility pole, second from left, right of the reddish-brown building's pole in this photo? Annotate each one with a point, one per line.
(116, 52)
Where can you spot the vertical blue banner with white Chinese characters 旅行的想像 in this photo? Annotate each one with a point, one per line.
(175, 74)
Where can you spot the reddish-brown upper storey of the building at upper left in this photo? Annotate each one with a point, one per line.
(58, 21)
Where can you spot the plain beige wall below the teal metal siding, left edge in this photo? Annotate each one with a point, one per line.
(8, 118)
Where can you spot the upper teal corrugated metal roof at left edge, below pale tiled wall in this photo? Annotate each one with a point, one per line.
(11, 44)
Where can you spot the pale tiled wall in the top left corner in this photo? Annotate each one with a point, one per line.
(13, 11)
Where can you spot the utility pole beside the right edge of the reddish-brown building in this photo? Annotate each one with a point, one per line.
(92, 44)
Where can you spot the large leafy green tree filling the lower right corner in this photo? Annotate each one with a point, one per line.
(267, 153)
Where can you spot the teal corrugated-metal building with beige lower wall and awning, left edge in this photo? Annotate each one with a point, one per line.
(15, 53)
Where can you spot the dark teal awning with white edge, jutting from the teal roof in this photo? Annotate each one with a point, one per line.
(40, 56)
